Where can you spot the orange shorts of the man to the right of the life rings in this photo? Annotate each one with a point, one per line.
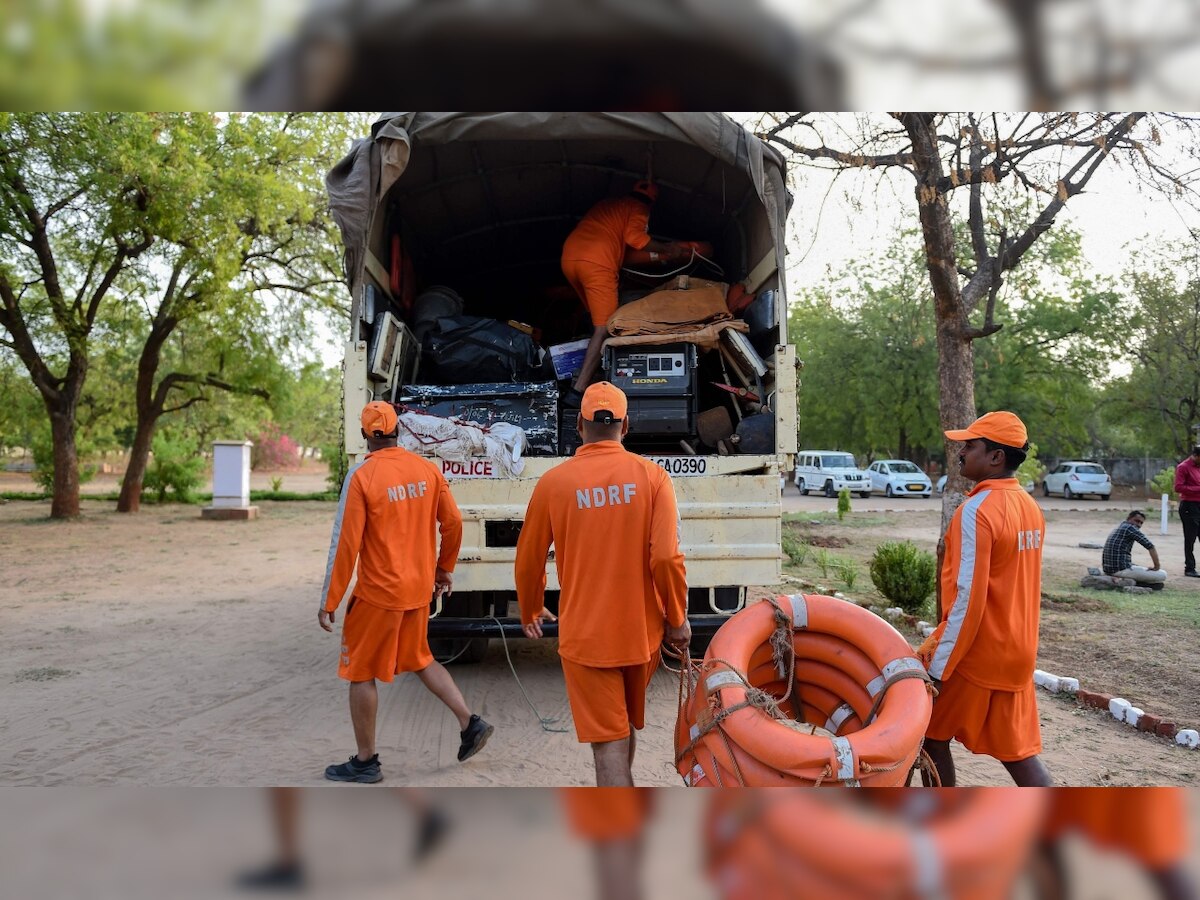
(1000, 724)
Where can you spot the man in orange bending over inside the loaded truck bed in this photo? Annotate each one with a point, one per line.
(592, 260)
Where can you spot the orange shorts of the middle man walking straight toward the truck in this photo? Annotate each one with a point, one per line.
(607, 701)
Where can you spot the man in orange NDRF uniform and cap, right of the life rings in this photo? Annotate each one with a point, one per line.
(982, 655)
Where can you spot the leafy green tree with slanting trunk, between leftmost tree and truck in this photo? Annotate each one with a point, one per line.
(247, 238)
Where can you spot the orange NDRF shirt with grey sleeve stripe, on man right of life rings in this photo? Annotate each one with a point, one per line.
(992, 589)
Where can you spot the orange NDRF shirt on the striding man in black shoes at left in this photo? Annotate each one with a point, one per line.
(394, 503)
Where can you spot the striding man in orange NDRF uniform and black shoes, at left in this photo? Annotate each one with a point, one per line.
(394, 503)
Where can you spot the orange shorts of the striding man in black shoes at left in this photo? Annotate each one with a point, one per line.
(381, 644)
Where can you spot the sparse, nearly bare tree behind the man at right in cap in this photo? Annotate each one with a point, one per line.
(985, 160)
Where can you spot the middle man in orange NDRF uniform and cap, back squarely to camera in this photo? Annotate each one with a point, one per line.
(613, 519)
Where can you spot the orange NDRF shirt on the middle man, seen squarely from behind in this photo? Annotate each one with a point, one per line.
(615, 525)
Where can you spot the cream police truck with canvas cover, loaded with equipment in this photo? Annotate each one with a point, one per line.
(441, 209)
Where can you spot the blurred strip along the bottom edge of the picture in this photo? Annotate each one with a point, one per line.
(584, 843)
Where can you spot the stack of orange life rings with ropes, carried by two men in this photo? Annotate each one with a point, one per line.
(803, 691)
